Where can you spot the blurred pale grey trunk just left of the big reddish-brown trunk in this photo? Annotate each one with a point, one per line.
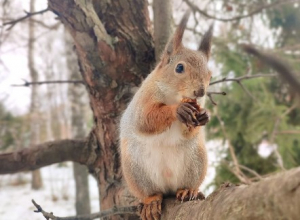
(77, 97)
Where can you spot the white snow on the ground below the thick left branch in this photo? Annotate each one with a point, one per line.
(57, 195)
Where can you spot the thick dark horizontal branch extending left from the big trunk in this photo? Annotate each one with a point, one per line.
(43, 155)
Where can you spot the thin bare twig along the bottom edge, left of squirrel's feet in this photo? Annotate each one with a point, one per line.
(106, 213)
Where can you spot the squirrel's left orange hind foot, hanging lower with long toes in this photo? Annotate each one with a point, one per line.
(151, 207)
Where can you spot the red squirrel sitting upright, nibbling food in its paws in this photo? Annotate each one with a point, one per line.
(161, 139)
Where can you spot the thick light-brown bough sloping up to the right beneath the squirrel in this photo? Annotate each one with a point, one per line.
(273, 198)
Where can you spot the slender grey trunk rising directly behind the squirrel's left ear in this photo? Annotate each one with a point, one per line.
(162, 12)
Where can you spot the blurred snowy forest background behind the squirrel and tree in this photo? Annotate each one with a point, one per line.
(256, 126)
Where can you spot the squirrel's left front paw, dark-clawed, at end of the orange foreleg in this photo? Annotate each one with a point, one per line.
(186, 113)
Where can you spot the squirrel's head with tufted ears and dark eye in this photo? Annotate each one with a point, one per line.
(182, 70)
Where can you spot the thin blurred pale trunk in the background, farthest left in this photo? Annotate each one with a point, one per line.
(36, 181)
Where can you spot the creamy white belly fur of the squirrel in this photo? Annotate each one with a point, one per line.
(165, 158)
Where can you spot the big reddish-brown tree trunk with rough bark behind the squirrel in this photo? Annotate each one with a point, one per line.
(115, 51)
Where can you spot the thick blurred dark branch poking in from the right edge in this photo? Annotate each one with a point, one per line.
(278, 65)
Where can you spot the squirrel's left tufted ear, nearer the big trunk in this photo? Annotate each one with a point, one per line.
(175, 43)
